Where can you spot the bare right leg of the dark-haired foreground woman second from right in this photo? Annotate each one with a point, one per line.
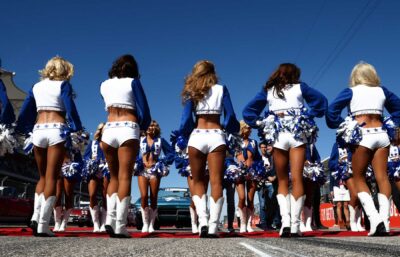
(297, 158)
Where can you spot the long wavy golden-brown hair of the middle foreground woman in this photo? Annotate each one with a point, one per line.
(199, 82)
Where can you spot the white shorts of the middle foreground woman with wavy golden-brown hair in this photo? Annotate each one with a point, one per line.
(206, 140)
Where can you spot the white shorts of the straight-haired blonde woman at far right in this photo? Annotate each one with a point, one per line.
(374, 138)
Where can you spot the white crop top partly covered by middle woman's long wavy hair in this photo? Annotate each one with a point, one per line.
(212, 102)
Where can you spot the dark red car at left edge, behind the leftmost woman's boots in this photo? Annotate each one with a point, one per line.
(14, 207)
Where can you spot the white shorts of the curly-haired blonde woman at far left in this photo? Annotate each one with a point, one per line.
(48, 134)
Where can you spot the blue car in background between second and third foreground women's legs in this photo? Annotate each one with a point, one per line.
(173, 208)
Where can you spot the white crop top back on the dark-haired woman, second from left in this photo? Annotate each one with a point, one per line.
(118, 93)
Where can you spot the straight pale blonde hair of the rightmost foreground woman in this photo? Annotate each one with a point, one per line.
(364, 73)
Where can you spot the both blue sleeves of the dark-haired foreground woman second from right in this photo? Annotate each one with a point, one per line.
(316, 102)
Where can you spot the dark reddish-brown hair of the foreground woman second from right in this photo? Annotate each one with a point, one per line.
(287, 73)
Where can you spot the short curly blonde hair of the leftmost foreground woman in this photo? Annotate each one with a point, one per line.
(57, 68)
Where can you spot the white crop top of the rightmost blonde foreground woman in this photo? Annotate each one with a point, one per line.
(367, 100)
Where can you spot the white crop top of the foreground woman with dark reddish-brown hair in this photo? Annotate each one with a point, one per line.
(293, 99)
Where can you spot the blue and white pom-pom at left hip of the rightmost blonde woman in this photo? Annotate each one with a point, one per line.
(349, 132)
